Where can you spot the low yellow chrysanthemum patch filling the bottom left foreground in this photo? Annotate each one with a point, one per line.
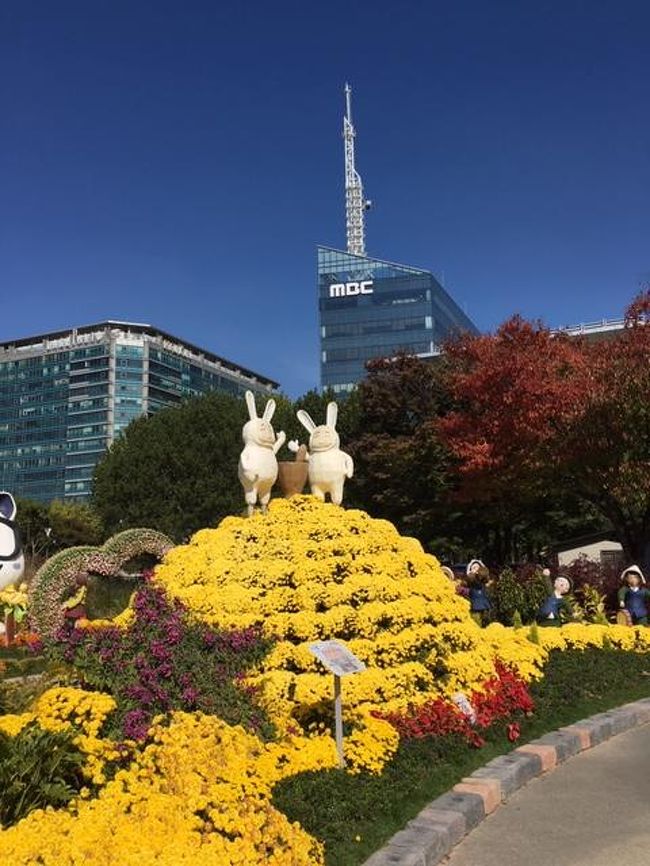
(199, 794)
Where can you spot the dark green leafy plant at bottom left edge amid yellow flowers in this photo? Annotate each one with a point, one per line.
(37, 769)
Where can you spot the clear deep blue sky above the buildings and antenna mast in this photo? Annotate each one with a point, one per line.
(177, 162)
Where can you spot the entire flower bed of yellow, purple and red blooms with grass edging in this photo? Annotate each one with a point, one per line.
(204, 721)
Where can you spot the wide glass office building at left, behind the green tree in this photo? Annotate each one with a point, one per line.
(65, 396)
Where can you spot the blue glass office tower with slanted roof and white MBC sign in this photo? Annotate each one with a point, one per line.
(369, 308)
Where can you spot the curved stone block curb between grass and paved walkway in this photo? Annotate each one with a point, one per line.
(431, 835)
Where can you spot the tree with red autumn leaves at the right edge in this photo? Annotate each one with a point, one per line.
(537, 411)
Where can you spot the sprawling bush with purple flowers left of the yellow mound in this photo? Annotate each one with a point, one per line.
(166, 660)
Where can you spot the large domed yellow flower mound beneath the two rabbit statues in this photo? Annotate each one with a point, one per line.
(310, 571)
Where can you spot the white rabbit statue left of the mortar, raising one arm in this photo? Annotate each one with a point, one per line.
(258, 466)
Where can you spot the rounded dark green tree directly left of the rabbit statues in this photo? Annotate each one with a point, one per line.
(175, 471)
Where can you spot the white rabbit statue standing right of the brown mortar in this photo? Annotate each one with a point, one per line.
(328, 465)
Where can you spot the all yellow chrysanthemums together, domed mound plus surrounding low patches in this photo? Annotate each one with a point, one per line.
(200, 790)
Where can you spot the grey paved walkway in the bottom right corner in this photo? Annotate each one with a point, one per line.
(593, 810)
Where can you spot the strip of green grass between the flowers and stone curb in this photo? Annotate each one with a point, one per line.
(337, 807)
